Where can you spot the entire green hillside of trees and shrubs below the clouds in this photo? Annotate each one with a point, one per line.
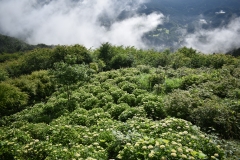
(115, 102)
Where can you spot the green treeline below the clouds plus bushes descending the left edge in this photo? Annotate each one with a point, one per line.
(28, 72)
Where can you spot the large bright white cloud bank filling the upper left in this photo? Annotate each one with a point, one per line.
(87, 22)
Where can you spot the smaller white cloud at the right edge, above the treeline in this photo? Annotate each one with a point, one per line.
(219, 40)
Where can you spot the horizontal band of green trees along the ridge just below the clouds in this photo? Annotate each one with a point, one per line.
(107, 57)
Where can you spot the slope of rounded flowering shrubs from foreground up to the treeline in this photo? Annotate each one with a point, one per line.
(116, 116)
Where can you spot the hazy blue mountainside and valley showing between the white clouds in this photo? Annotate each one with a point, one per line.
(185, 17)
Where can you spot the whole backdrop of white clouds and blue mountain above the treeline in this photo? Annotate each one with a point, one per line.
(208, 26)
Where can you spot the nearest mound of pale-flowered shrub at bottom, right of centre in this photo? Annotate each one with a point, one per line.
(169, 143)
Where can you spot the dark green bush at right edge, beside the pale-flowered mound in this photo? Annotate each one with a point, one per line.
(215, 115)
